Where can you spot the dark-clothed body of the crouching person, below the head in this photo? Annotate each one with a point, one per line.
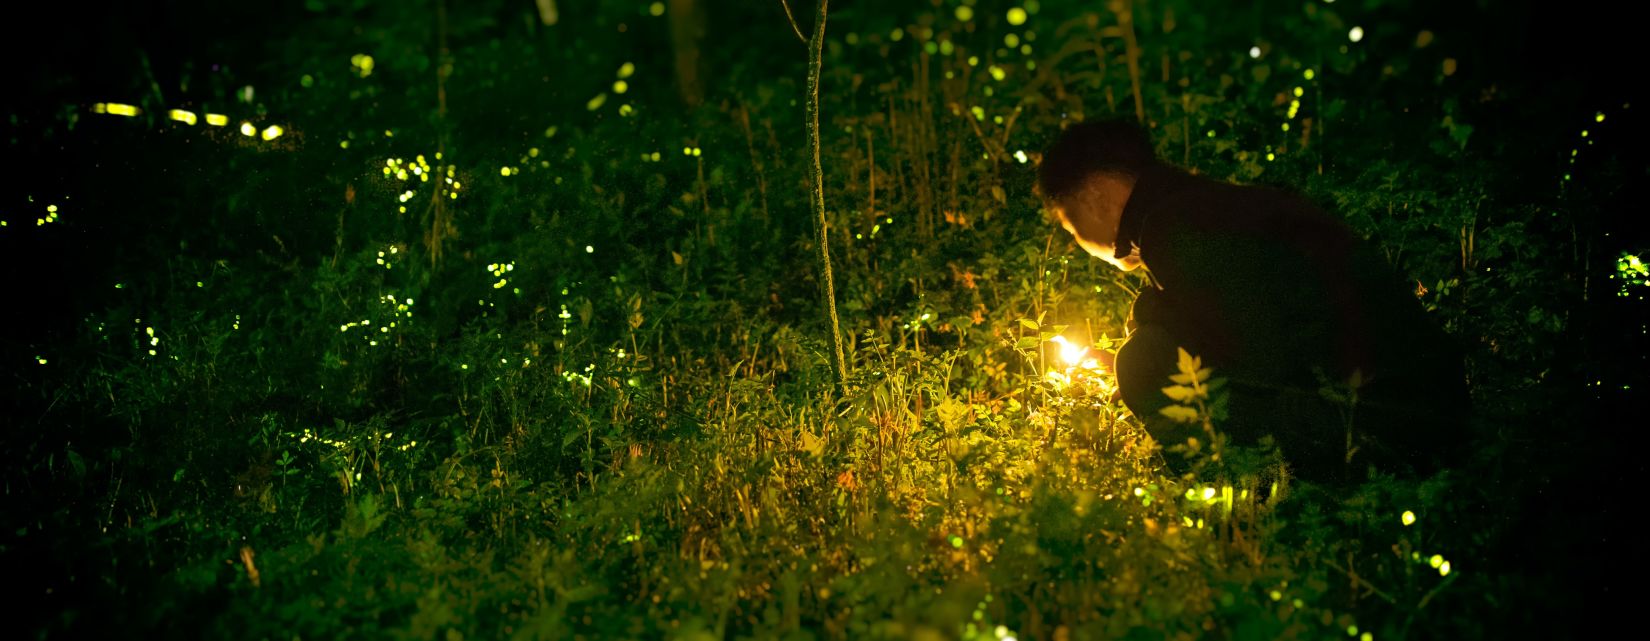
(1281, 298)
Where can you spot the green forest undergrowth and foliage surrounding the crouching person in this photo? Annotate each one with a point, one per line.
(585, 389)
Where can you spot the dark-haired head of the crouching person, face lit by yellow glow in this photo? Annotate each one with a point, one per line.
(1087, 179)
